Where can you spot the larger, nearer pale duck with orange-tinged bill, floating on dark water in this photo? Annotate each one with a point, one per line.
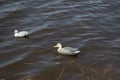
(66, 50)
